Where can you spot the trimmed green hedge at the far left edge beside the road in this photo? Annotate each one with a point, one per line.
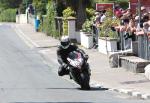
(8, 15)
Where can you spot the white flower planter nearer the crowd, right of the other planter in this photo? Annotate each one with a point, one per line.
(106, 46)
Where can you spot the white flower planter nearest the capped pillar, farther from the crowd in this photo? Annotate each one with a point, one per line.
(86, 40)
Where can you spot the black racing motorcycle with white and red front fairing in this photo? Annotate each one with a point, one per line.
(79, 69)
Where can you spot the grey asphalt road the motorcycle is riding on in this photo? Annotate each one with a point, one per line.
(25, 77)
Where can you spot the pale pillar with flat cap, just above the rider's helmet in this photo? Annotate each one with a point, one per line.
(71, 28)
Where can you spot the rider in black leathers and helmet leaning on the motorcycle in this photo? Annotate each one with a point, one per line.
(62, 53)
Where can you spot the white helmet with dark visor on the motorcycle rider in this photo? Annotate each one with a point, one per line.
(65, 42)
